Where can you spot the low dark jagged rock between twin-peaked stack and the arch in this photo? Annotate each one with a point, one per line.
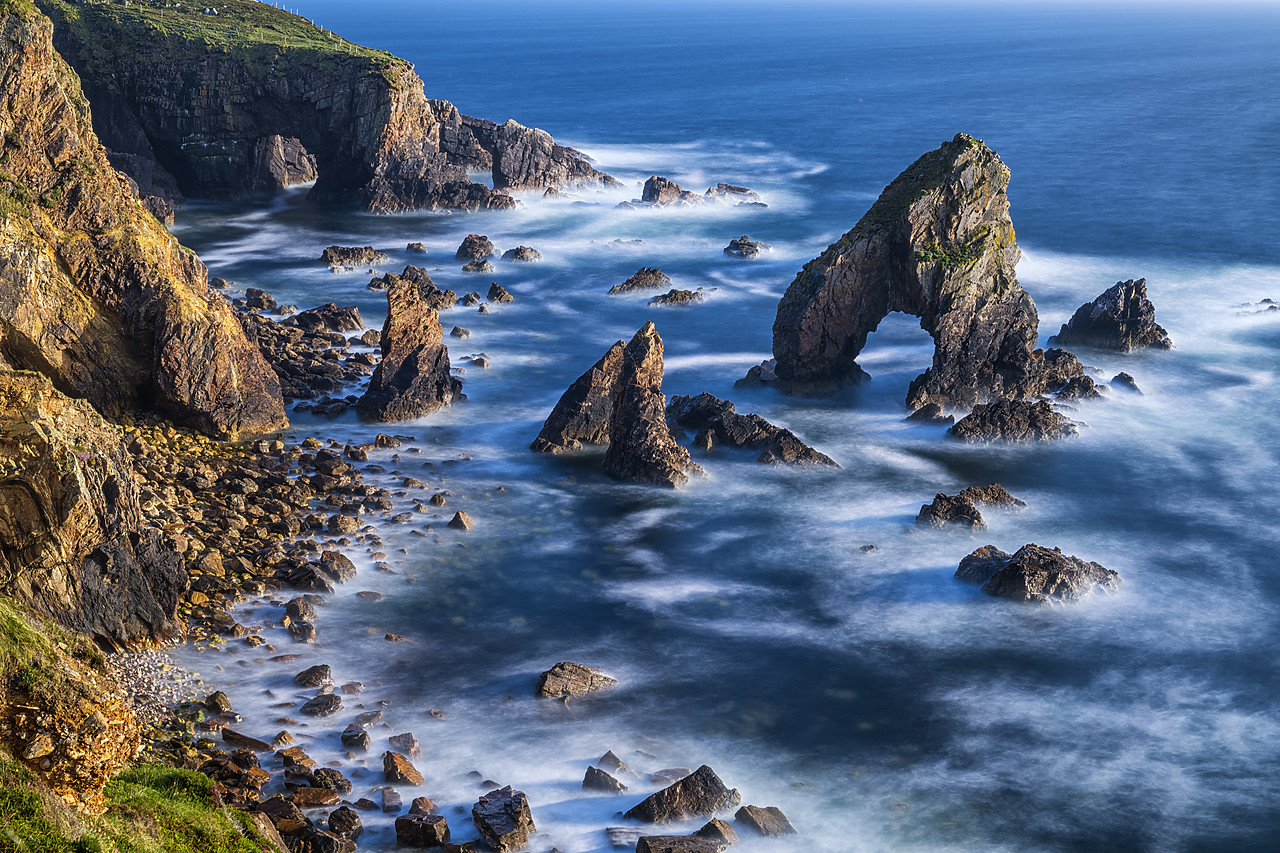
(720, 426)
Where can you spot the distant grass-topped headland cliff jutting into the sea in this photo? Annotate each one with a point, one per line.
(220, 106)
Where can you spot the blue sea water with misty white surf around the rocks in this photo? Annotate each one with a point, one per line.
(883, 704)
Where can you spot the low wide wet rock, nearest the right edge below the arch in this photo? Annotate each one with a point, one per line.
(1035, 574)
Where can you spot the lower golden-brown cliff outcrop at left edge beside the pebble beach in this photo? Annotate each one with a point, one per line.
(74, 545)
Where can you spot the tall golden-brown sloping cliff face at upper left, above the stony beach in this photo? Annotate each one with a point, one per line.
(94, 293)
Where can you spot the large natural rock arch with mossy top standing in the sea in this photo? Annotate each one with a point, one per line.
(939, 244)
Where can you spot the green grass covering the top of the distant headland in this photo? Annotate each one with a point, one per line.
(136, 30)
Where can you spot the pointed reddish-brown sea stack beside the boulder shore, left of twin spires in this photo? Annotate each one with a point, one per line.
(413, 380)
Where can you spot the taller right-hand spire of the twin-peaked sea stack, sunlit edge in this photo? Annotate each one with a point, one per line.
(642, 449)
